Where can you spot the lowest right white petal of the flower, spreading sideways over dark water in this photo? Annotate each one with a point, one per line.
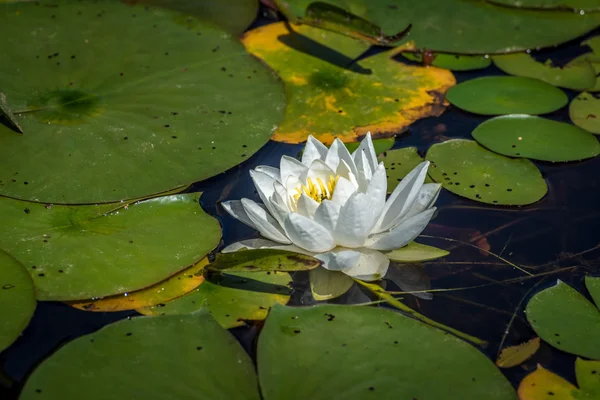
(403, 234)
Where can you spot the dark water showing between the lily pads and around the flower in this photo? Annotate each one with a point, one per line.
(558, 235)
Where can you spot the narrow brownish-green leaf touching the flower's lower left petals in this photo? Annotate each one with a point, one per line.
(263, 260)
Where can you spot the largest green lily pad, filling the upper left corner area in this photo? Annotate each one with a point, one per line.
(157, 116)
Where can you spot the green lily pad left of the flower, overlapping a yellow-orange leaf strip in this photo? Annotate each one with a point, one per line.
(81, 252)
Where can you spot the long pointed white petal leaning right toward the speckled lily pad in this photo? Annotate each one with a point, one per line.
(402, 198)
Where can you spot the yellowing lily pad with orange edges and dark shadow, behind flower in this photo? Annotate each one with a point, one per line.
(329, 96)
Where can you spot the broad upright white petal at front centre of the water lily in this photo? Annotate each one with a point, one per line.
(355, 221)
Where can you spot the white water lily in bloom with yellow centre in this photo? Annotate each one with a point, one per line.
(332, 205)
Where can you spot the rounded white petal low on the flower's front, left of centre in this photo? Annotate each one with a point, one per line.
(308, 234)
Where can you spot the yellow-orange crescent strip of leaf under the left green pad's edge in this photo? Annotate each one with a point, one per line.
(161, 292)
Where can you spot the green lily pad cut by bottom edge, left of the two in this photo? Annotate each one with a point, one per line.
(169, 357)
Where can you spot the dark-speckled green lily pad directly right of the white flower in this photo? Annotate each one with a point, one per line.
(469, 170)
